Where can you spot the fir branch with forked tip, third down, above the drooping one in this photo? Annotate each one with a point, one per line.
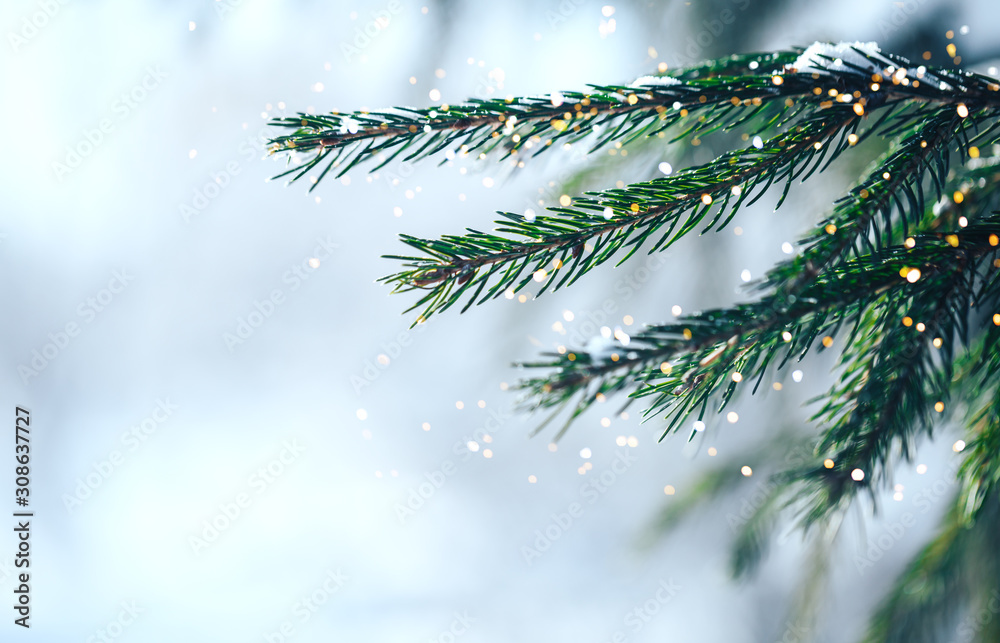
(708, 355)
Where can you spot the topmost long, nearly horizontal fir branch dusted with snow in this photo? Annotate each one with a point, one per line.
(710, 90)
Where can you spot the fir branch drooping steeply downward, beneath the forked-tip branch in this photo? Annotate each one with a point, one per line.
(887, 395)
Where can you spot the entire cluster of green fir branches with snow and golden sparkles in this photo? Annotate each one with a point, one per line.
(901, 275)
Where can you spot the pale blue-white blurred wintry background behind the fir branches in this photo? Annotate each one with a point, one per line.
(236, 435)
